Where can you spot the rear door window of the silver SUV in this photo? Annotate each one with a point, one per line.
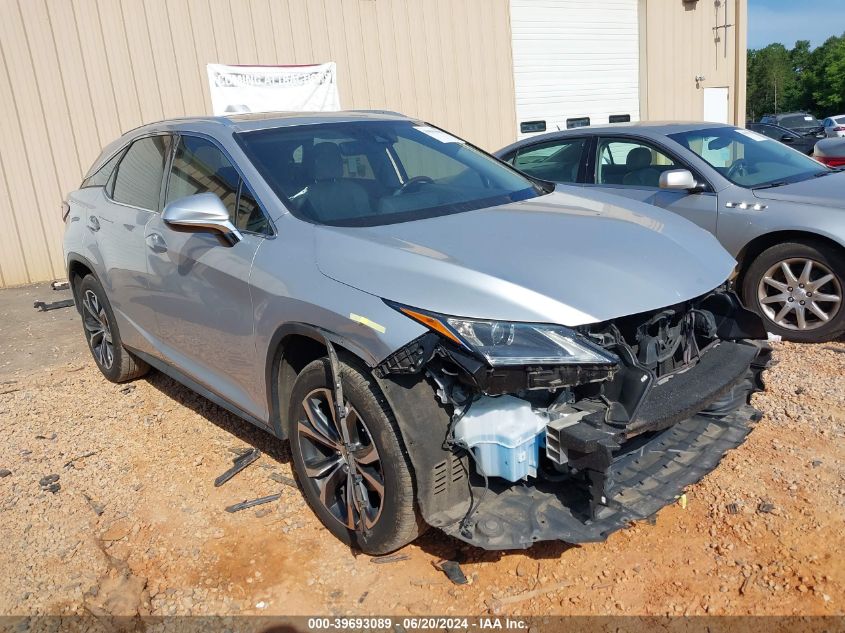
(139, 174)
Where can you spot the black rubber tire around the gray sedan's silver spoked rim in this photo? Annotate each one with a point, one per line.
(826, 260)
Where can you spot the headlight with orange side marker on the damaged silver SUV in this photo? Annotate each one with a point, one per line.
(506, 343)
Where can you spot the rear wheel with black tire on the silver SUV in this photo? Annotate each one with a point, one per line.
(119, 365)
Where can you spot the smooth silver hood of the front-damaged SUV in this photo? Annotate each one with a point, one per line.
(560, 258)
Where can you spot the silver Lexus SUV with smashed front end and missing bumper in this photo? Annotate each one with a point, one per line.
(444, 341)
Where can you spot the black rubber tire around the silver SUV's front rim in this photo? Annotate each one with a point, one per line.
(397, 522)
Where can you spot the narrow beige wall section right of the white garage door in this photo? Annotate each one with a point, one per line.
(678, 44)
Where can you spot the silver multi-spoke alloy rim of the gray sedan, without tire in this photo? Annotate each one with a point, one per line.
(800, 294)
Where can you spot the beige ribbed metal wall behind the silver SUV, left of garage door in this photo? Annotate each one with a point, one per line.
(75, 74)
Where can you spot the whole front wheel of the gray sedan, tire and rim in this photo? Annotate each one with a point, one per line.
(798, 290)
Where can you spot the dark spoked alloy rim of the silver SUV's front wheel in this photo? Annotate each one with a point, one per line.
(341, 460)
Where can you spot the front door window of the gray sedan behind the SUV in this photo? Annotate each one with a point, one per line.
(631, 162)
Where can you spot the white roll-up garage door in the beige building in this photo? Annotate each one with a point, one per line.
(574, 61)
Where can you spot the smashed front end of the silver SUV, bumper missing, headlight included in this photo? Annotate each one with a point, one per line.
(578, 443)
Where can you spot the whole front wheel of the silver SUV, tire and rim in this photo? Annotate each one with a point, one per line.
(382, 516)
